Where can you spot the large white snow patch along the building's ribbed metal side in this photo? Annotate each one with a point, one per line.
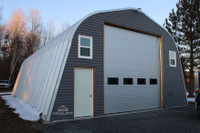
(25, 111)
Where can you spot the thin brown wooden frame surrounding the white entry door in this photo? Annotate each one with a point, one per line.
(93, 69)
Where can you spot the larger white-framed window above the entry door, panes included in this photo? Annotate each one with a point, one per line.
(85, 47)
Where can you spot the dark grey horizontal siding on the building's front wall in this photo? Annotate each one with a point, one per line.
(174, 93)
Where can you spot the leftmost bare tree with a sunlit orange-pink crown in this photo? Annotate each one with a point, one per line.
(16, 28)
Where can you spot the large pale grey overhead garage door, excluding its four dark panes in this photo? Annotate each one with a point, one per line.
(129, 54)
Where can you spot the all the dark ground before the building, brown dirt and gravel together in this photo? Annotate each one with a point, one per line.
(179, 120)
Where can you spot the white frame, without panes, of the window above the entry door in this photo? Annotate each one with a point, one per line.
(79, 47)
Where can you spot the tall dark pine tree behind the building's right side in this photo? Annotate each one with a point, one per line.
(184, 26)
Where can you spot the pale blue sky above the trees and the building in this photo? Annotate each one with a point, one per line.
(70, 11)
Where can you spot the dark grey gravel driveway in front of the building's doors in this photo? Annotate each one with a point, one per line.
(179, 120)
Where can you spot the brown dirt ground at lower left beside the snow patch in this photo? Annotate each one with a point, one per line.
(11, 123)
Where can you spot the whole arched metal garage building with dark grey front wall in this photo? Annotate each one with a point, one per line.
(108, 62)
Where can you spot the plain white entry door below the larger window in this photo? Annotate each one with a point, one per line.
(83, 92)
